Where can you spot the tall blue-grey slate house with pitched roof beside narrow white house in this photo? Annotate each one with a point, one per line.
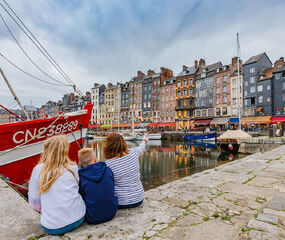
(251, 70)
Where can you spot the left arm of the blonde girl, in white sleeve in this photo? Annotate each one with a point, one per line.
(34, 196)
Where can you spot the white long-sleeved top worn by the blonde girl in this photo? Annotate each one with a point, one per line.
(61, 205)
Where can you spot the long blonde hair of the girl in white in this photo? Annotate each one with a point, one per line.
(55, 161)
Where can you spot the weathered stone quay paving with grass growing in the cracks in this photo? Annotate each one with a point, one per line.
(244, 199)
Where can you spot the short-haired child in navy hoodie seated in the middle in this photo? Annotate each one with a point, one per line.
(96, 185)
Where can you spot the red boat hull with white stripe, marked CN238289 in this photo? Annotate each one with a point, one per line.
(19, 152)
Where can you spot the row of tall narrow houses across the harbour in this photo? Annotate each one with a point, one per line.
(199, 94)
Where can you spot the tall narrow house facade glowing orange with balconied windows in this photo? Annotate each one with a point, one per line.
(185, 96)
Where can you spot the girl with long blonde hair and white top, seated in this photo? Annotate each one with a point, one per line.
(53, 188)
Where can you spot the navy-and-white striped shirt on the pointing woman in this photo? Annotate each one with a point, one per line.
(126, 169)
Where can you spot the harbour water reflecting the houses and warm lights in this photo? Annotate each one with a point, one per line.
(165, 161)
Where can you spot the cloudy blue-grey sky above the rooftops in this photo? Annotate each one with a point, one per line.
(109, 40)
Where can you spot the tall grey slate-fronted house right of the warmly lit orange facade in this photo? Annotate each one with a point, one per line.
(204, 91)
